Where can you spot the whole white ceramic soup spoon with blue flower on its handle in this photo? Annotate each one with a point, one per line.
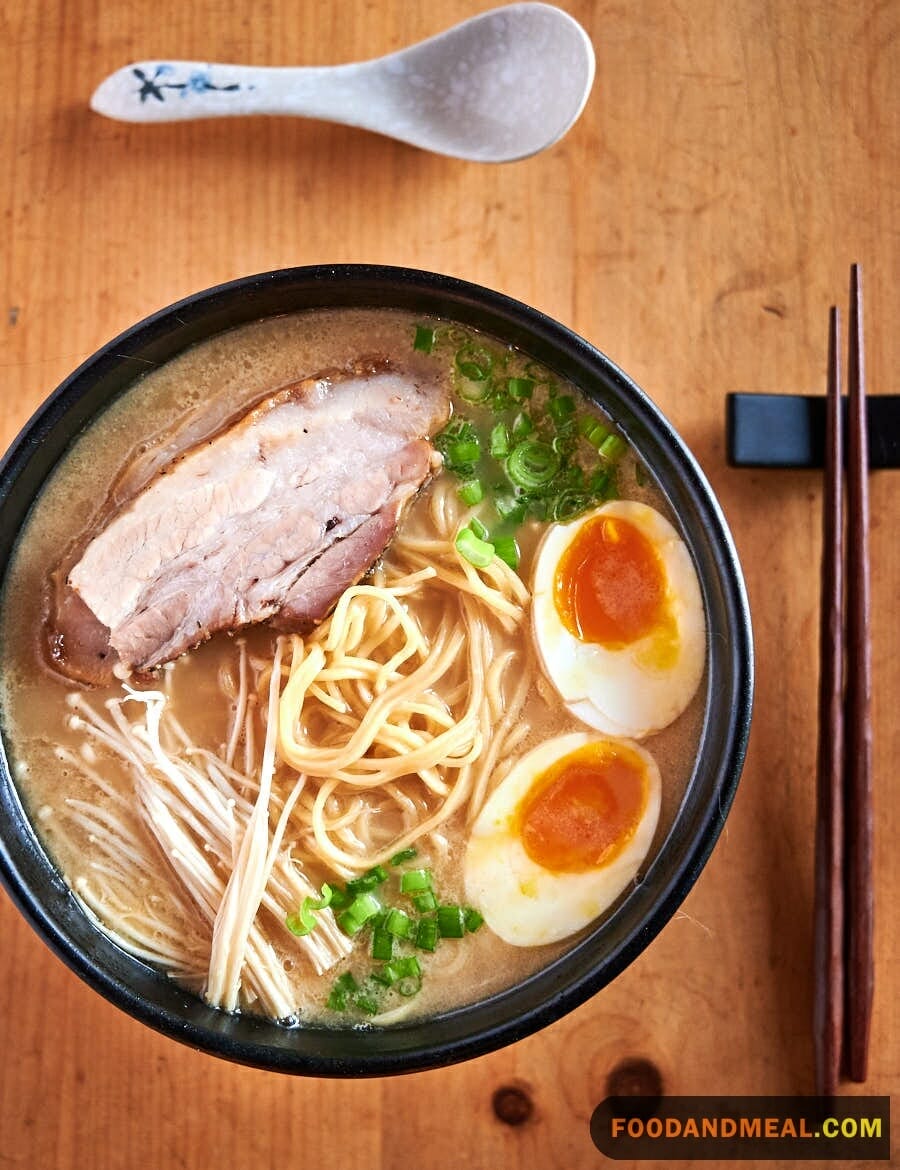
(496, 88)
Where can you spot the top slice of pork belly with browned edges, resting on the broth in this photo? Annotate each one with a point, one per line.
(273, 518)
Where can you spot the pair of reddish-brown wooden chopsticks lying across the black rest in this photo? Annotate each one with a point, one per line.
(844, 899)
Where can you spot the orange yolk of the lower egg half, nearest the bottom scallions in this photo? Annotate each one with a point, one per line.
(585, 809)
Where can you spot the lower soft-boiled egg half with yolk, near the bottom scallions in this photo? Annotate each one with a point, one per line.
(562, 837)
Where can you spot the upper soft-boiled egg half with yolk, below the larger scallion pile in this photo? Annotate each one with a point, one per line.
(619, 618)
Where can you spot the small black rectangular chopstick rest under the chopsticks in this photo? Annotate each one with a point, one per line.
(789, 430)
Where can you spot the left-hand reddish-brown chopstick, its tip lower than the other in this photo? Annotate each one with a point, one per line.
(829, 925)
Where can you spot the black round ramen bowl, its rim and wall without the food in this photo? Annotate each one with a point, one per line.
(45, 899)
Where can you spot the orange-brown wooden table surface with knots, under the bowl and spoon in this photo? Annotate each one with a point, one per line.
(736, 157)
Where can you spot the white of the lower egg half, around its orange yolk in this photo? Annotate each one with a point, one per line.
(525, 904)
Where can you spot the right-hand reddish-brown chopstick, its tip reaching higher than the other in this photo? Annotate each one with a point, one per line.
(860, 973)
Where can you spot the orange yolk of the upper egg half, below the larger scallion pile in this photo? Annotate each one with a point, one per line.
(610, 586)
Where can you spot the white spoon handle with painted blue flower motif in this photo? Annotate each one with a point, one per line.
(181, 91)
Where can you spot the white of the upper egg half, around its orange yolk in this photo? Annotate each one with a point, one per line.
(623, 692)
